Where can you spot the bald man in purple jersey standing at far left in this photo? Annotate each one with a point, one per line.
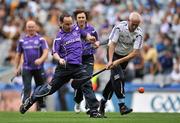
(34, 50)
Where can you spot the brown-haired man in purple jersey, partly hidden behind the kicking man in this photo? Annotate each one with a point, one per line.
(81, 17)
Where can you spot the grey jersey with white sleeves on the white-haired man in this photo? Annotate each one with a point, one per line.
(126, 41)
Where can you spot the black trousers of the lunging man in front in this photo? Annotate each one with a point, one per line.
(63, 74)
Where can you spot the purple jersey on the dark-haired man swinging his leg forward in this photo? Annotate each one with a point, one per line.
(68, 45)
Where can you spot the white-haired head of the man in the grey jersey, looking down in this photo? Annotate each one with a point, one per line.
(134, 21)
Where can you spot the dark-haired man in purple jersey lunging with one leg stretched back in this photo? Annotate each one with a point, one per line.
(67, 50)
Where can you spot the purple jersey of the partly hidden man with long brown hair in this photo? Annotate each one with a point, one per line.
(87, 45)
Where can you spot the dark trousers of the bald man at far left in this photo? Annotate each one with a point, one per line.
(39, 78)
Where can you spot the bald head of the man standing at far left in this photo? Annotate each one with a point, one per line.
(31, 27)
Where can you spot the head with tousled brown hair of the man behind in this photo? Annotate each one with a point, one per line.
(81, 16)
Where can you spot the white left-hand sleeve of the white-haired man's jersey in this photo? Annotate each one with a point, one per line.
(114, 36)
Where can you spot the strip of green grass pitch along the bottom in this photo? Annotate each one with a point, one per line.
(72, 117)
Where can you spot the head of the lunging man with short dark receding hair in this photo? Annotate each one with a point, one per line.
(66, 22)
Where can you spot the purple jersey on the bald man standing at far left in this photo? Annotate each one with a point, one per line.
(32, 49)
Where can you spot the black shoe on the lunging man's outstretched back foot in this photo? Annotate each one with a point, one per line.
(25, 106)
